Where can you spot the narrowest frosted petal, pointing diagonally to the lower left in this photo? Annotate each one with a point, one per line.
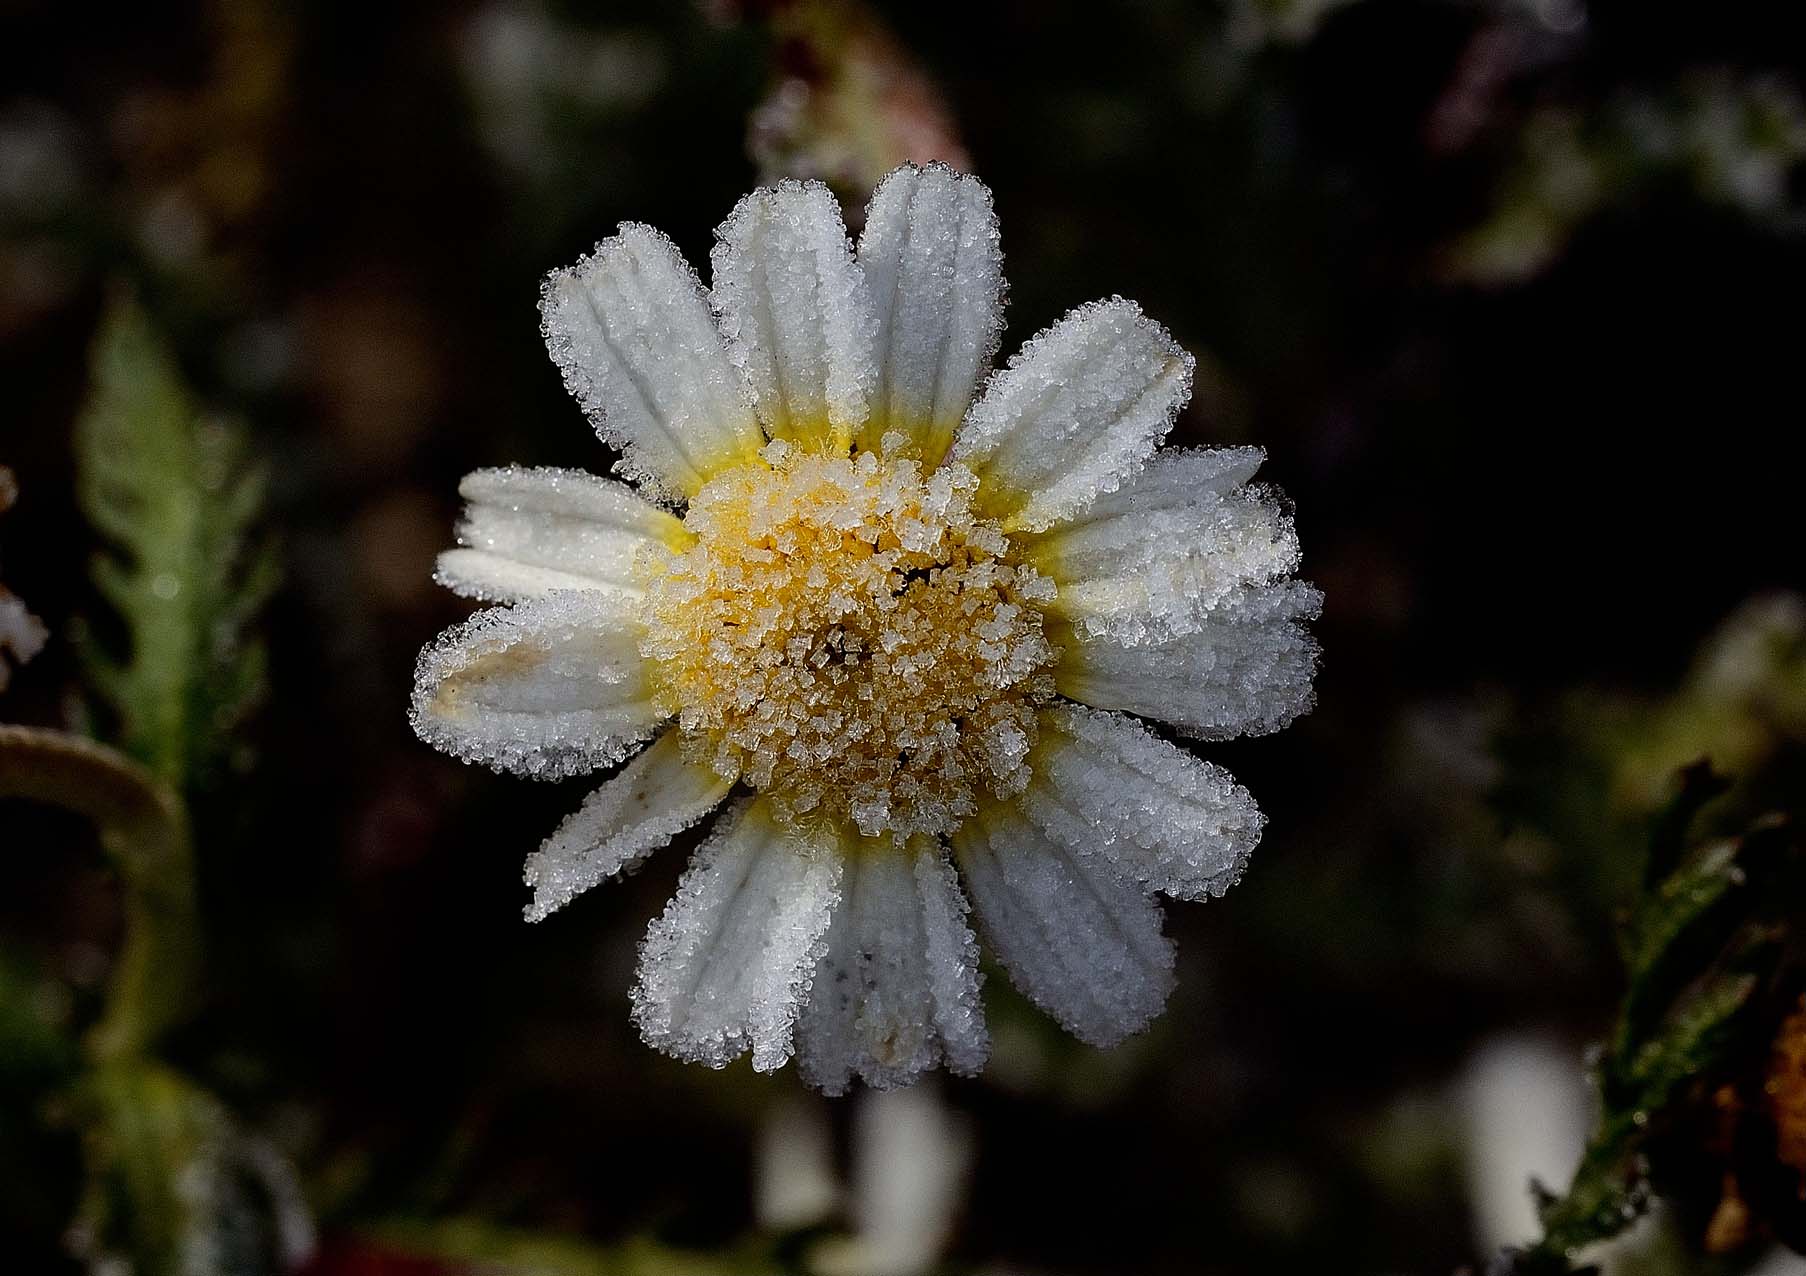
(653, 799)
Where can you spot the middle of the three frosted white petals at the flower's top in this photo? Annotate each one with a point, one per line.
(796, 313)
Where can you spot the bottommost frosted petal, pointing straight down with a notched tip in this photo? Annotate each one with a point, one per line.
(897, 992)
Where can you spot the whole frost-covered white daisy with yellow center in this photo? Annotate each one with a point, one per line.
(909, 609)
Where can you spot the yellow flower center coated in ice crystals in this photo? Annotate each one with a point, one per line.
(852, 640)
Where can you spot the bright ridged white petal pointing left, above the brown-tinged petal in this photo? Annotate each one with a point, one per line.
(534, 532)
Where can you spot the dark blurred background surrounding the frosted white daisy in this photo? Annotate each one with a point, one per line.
(1509, 291)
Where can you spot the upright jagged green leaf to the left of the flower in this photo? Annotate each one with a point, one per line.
(178, 501)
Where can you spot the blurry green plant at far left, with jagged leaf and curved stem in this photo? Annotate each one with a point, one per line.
(174, 1185)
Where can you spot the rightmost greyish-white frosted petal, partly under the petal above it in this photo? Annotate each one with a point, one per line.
(1247, 670)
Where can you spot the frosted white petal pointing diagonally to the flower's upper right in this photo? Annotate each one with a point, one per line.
(1079, 411)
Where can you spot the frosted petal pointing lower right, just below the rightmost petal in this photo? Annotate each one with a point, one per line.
(1108, 784)
